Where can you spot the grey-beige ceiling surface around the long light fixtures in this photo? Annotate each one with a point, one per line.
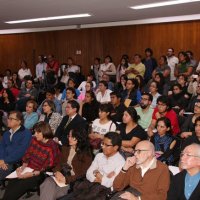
(102, 11)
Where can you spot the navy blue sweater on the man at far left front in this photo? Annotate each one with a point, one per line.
(11, 151)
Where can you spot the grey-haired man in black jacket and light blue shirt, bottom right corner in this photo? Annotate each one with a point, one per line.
(186, 184)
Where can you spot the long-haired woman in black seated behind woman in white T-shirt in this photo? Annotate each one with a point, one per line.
(89, 109)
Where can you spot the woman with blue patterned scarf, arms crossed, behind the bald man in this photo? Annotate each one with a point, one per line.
(164, 141)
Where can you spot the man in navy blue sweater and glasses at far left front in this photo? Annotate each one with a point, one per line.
(13, 144)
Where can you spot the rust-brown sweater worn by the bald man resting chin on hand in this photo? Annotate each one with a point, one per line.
(153, 185)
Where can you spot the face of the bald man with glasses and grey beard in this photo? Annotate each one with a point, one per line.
(142, 154)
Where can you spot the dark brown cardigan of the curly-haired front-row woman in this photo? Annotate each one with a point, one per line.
(80, 163)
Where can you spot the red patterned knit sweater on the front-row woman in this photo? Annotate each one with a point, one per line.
(41, 156)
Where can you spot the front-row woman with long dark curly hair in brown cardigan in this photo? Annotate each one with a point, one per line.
(73, 156)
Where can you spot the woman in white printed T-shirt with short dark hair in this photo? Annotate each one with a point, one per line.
(101, 126)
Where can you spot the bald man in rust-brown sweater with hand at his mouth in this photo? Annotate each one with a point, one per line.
(144, 173)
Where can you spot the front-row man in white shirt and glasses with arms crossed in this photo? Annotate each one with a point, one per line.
(103, 170)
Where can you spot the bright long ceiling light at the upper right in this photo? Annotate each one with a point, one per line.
(164, 3)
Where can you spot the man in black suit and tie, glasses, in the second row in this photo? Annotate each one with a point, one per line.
(70, 121)
